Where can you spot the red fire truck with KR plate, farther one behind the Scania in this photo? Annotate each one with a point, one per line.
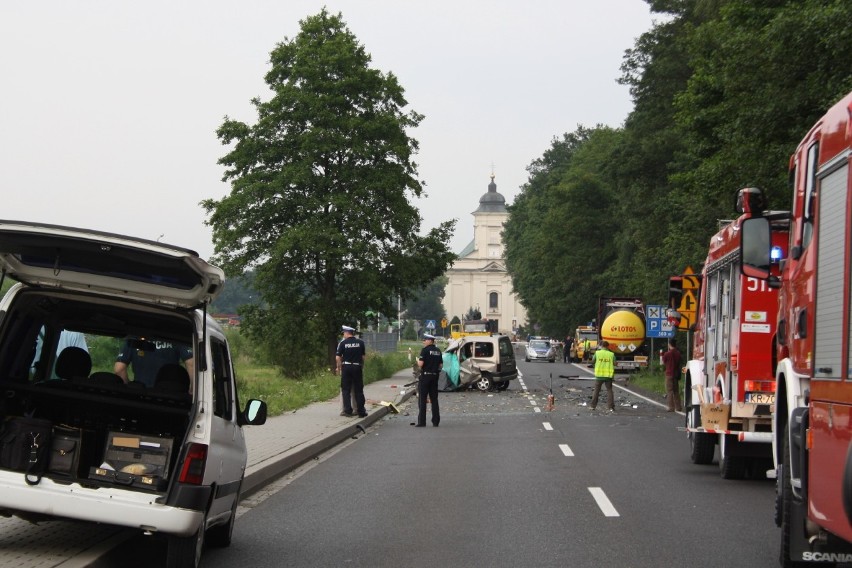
(729, 387)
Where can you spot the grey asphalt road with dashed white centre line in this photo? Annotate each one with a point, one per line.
(501, 484)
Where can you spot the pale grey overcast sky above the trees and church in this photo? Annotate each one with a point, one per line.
(108, 109)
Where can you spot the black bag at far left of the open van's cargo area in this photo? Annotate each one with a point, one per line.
(24, 446)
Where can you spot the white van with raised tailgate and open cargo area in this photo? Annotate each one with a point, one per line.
(154, 443)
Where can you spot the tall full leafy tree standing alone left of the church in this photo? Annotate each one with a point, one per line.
(319, 202)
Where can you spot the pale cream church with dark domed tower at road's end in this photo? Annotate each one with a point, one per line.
(478, 278)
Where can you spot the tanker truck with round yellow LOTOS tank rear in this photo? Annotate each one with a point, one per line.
(622, 325)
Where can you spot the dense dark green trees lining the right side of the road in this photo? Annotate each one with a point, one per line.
(723, 91)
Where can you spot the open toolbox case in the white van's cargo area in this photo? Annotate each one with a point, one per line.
(135, 460)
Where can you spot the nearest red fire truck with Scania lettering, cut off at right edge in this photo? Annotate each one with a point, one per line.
(812, 441)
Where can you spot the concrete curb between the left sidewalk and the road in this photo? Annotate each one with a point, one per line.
(266, 474)
